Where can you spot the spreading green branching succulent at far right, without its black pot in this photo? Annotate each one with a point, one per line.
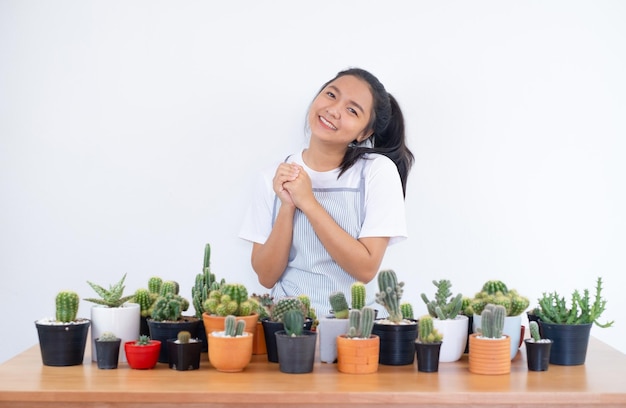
(554, 309)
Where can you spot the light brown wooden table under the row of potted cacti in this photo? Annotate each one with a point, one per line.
(25, 382)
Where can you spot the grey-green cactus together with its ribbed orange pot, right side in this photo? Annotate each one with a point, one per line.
(489, 351)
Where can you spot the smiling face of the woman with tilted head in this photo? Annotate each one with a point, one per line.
(341, 112)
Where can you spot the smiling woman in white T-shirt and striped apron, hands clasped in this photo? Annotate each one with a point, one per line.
(324, 217)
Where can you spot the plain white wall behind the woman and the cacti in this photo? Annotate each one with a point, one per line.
(131, 131)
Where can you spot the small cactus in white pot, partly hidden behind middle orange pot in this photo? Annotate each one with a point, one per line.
(332, 326)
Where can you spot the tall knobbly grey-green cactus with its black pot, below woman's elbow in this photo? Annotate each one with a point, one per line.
(397, 334)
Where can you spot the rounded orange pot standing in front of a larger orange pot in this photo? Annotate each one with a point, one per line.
(230, 354)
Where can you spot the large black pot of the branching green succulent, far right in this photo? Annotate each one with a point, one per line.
(570, 342)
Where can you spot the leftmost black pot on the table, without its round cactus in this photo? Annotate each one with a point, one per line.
(63, 345)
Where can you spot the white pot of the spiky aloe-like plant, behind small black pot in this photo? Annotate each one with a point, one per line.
(122, 321)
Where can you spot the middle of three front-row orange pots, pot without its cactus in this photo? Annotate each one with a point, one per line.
(357, 356)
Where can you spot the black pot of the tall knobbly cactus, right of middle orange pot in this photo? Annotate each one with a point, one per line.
(396, 343)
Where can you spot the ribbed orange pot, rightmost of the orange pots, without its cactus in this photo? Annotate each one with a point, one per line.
(489, 356)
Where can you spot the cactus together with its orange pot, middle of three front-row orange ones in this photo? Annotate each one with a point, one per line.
(358, 348)
